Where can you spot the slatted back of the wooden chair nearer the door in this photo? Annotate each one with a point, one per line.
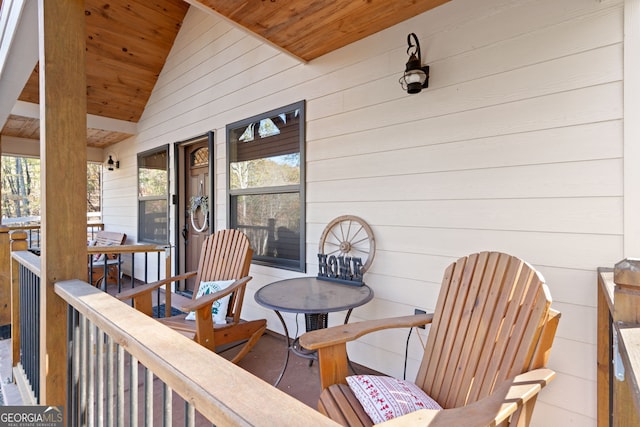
(225, 255)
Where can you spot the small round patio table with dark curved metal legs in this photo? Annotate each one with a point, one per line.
(313, 297)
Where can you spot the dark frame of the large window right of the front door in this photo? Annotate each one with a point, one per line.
(300, 188)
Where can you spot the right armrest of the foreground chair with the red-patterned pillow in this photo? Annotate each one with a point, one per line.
(505, 400)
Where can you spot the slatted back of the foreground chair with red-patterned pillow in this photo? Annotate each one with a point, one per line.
(487, 323)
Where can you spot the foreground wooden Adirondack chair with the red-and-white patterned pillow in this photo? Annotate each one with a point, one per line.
(489, 340)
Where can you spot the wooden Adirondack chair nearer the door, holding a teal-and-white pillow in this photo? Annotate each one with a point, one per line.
(225, 255)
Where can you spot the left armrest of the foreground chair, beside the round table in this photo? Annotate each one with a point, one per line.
(341, 334)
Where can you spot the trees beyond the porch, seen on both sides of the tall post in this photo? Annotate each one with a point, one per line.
(21, 187)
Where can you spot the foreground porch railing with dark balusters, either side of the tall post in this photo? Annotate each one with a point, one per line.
(120, 361)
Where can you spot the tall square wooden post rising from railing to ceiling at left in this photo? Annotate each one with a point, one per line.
(63, 155)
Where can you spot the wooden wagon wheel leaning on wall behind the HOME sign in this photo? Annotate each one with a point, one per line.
(349, 235)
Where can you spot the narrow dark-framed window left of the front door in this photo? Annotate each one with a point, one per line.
(153, 196)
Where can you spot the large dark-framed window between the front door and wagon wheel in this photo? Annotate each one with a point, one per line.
(265, 183)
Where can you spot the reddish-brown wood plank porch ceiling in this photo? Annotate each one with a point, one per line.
(128, 42)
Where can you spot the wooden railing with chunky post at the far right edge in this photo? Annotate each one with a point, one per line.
(619, 346)
